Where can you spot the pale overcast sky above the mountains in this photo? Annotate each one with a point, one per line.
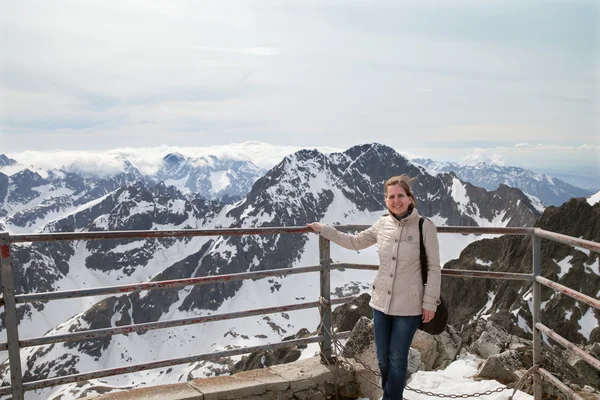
(514, 81)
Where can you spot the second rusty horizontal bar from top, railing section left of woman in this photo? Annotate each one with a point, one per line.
(171, 284)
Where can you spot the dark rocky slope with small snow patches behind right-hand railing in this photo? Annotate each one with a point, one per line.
(509, 303)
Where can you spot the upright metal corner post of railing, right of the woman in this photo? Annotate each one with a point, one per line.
(536, 247)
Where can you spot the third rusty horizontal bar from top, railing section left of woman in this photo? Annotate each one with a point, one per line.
(98, 333)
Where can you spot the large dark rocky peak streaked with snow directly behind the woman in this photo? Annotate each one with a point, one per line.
(306, 186)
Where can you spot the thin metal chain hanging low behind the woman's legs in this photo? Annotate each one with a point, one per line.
(339, 349)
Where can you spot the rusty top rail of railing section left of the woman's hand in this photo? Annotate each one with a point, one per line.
(153, 234)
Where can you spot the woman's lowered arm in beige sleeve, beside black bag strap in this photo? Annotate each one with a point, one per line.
(434, 271)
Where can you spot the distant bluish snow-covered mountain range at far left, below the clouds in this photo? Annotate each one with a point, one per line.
(30, 199)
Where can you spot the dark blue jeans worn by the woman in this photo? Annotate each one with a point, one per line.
(393, 336)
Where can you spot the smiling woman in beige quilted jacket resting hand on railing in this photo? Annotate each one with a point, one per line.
(399, 300)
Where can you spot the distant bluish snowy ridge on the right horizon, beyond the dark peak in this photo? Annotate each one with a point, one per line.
(551, 191)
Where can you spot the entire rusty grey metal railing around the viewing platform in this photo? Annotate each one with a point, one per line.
(325, 334)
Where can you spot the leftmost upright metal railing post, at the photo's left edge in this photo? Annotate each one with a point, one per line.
(10, 318)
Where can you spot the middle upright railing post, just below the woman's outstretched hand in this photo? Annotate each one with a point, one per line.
(325, 307)
